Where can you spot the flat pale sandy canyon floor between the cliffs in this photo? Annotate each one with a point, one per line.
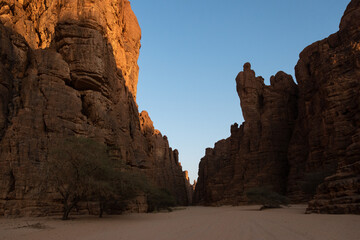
(243, 223)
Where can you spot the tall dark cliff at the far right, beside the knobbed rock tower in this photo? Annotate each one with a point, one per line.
(325, 137)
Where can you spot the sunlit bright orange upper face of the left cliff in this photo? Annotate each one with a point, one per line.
(36, 21)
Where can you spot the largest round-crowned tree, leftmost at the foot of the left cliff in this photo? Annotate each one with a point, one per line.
(77, 168)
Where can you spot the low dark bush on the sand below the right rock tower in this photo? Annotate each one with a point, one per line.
(266, 197)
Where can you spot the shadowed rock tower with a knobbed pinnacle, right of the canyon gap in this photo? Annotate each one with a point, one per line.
(256, 152)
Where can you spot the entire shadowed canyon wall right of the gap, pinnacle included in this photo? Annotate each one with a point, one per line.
(302, 137)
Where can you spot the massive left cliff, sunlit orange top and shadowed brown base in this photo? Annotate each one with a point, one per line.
(69, 68)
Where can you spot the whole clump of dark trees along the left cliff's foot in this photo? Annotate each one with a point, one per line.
(79, 169)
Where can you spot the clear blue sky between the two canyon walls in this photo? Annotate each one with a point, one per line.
(192, 51)
